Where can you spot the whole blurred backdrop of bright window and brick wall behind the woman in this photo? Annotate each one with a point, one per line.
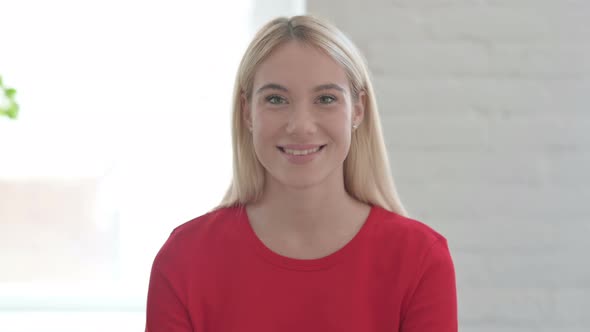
(123, 134)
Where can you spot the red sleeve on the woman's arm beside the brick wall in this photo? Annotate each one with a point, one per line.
(433, 304)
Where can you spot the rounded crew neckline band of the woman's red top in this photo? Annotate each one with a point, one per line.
(290, 263)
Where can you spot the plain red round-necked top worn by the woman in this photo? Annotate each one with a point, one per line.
(215, 275)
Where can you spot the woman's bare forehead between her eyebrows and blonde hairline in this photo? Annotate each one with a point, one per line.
(299, 66)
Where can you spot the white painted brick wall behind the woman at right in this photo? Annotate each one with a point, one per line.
(486, 111)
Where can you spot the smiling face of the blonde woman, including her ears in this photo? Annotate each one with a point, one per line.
(301, 113)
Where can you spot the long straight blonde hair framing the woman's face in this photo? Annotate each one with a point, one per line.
(367, 175)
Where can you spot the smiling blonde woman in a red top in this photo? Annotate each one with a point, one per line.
(311, 235)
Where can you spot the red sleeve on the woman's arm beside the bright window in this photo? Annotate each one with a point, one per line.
(165, 310)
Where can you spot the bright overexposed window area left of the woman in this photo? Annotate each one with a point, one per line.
(123, 134)
